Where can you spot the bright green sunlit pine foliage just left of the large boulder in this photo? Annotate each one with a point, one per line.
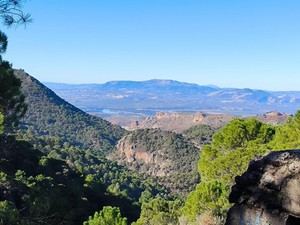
(228, 156)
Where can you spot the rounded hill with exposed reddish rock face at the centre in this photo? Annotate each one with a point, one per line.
(166, 156)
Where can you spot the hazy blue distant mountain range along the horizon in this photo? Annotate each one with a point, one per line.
(148, 97)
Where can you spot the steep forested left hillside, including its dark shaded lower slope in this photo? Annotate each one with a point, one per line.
(47, 179)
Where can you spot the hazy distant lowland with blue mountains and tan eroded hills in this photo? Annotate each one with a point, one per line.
(134, 108)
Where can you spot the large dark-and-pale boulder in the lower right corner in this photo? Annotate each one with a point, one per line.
(268, 193)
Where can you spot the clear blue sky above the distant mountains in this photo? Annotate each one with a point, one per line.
(230, 43)
